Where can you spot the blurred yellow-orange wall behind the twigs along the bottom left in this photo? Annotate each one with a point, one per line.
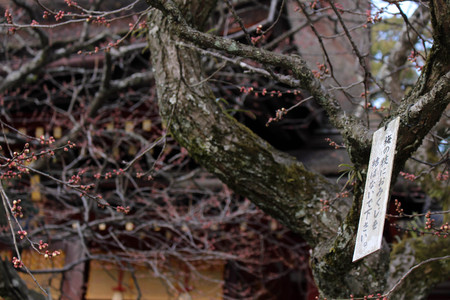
(103, 278)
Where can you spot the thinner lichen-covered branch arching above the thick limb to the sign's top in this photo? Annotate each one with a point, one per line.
(354, 132)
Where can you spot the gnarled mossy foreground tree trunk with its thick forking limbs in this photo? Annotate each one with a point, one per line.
(279, 184)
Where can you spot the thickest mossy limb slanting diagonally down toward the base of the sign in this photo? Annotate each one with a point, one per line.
(277, 183)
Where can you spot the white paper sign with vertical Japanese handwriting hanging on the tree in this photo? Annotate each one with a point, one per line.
(376, 192)
